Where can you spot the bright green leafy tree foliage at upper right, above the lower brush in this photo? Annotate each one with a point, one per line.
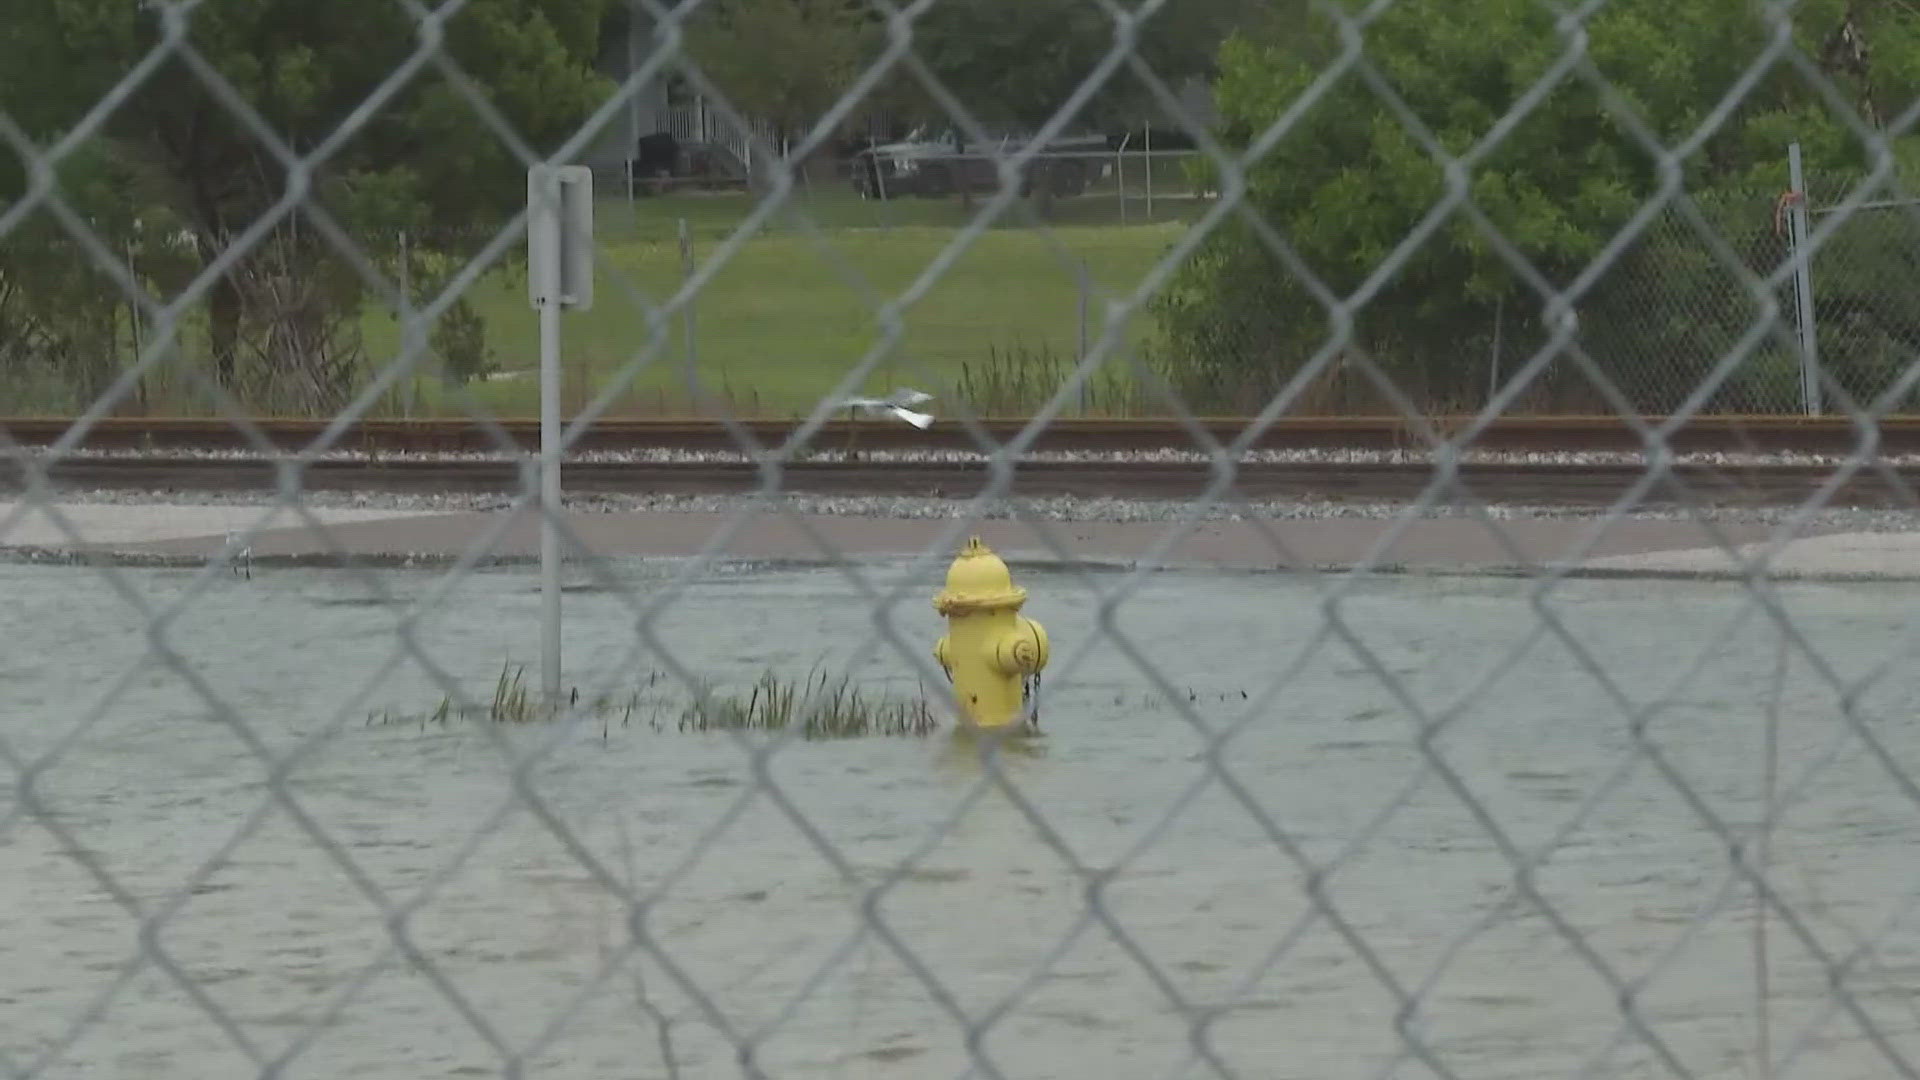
(1351, 182)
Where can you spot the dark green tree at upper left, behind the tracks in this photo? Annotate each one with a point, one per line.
(425, 159)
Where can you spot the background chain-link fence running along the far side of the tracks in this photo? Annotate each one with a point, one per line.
(1660, 318)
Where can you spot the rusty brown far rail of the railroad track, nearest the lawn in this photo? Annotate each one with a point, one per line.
(1760, 435)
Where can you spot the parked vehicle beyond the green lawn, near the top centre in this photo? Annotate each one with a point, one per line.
(938, 162)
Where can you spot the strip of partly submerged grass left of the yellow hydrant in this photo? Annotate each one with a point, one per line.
(821, 706)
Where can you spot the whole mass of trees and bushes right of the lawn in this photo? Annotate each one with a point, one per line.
(1353, 182)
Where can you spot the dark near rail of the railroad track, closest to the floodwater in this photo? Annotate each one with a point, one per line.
(1378, 481)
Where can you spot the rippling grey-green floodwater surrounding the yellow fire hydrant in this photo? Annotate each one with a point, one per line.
(1412, 954)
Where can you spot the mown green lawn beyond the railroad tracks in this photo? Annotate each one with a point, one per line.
(788, 314)
